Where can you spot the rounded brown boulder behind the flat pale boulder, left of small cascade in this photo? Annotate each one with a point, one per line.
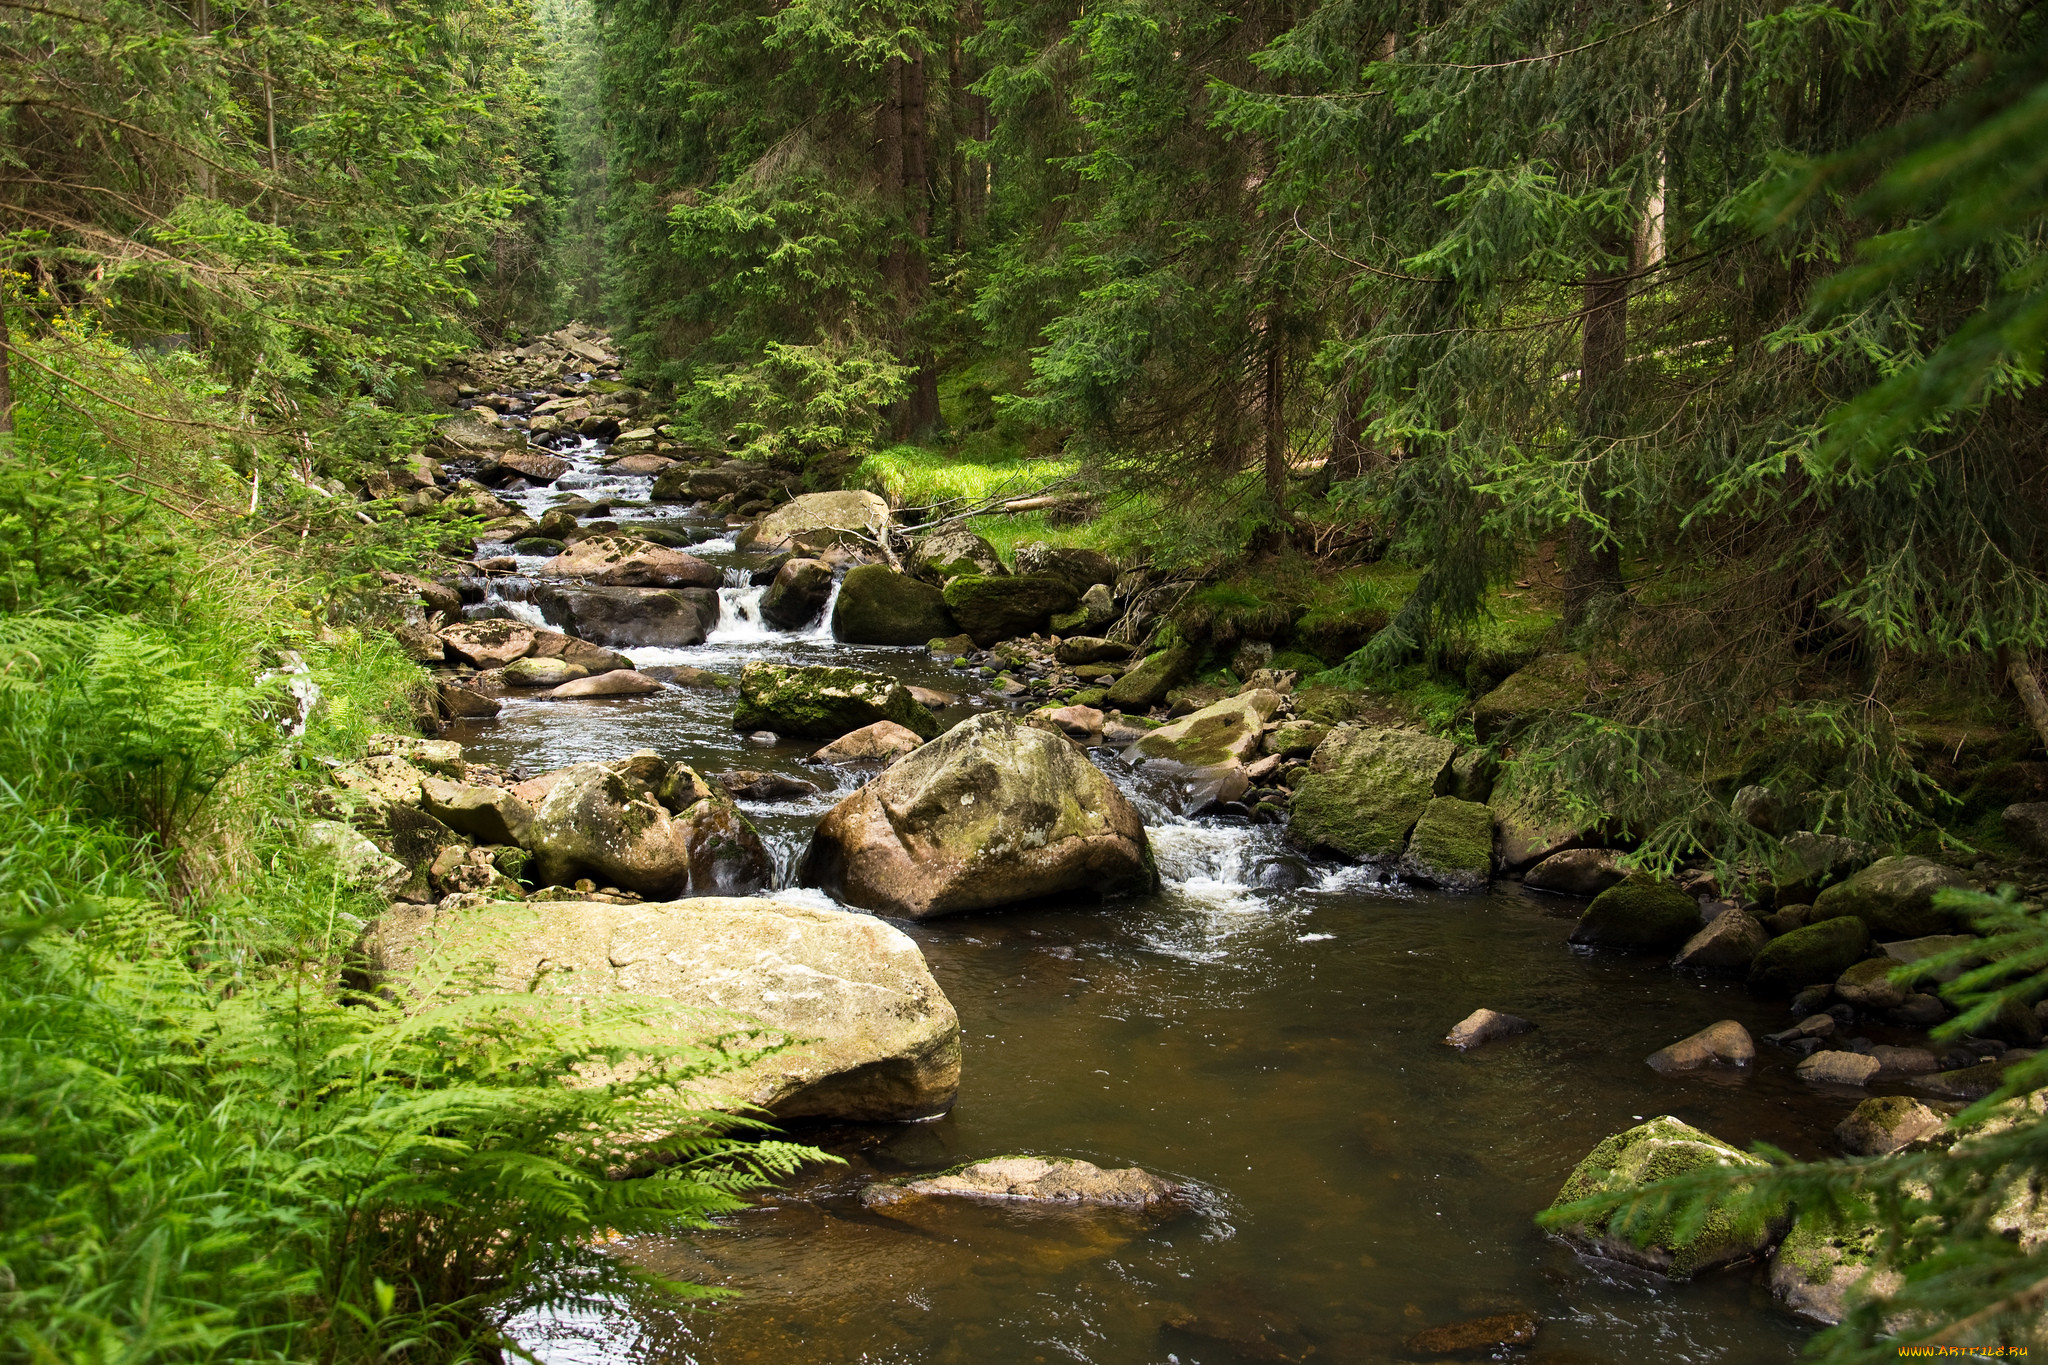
(650, 828)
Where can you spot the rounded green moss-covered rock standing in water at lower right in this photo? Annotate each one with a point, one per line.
(1639, 1157)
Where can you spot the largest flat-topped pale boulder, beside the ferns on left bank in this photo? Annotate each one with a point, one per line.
(865, 1032)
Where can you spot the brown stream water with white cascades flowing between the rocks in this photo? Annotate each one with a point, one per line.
(1267, 1028)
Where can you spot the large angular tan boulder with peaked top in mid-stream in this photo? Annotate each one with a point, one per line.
(990, 813)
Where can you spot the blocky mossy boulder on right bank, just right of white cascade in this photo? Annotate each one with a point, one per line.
(1367, 789)
